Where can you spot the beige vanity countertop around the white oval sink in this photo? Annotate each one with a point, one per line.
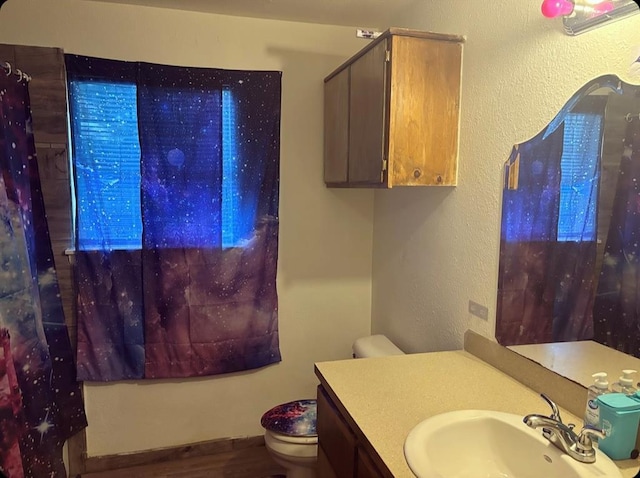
(387, 396)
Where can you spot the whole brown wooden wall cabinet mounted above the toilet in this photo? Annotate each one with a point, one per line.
(391, 113)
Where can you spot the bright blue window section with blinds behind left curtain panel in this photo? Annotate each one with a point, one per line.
(107, 165)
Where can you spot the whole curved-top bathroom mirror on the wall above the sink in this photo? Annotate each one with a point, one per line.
(570, 233)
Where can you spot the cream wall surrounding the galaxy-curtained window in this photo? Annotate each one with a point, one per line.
(324, 274)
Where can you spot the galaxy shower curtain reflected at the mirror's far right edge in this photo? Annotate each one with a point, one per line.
(616, 313)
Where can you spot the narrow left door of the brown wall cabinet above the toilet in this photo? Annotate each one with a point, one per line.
(336, 127)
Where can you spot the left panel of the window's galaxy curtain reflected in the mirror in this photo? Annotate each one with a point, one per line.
(529, 218)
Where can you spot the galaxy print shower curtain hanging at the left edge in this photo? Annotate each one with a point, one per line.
(40, 401)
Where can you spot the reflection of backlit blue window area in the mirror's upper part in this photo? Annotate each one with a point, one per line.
(555, 197)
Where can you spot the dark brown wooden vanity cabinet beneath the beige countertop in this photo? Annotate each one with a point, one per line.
(342, 451)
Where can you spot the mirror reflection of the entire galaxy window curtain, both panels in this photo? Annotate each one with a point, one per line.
(547, 249)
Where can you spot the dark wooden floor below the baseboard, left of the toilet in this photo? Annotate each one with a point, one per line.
(255, 463)
